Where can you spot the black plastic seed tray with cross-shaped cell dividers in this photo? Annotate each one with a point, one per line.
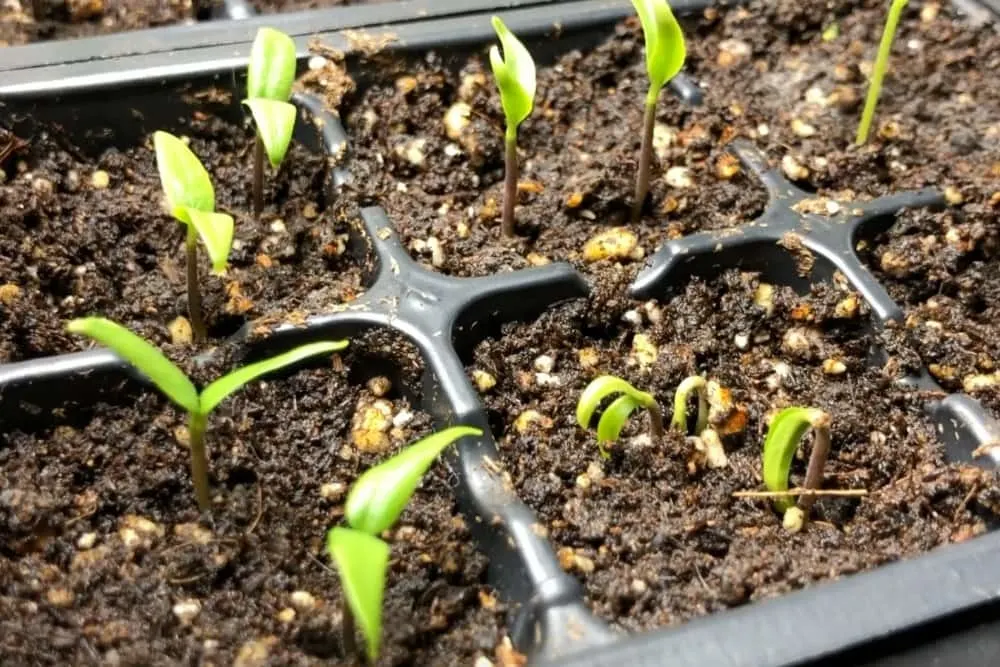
(943, 605)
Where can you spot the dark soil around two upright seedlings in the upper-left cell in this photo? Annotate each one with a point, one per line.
(71, 249)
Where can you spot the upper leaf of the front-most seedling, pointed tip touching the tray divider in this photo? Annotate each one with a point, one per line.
(379, 496)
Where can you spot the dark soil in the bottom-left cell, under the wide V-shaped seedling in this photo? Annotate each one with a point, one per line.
(103, 551)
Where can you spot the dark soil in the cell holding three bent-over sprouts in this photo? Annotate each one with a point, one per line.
(655, 536)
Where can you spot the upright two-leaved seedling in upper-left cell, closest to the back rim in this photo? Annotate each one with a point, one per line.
(270, 75)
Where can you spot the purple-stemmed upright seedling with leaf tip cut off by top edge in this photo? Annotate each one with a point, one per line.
(665, 53)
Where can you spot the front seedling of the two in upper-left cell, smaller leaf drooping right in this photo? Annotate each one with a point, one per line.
(191, 199)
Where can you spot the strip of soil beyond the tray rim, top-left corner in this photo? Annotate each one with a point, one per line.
(67, 19)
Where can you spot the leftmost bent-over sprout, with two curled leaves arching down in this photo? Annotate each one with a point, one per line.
(613, 419)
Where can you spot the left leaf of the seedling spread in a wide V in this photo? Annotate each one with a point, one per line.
(147, 359)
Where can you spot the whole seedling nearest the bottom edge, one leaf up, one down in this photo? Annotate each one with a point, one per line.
(375, 502)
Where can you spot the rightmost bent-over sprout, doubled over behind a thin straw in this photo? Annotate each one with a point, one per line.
(783, 438)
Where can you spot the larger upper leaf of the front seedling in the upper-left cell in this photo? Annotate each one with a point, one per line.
(184, 179)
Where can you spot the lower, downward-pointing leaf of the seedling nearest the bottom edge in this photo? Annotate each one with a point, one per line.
(362, 561)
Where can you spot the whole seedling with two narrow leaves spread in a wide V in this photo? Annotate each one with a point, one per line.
(176, 386)
